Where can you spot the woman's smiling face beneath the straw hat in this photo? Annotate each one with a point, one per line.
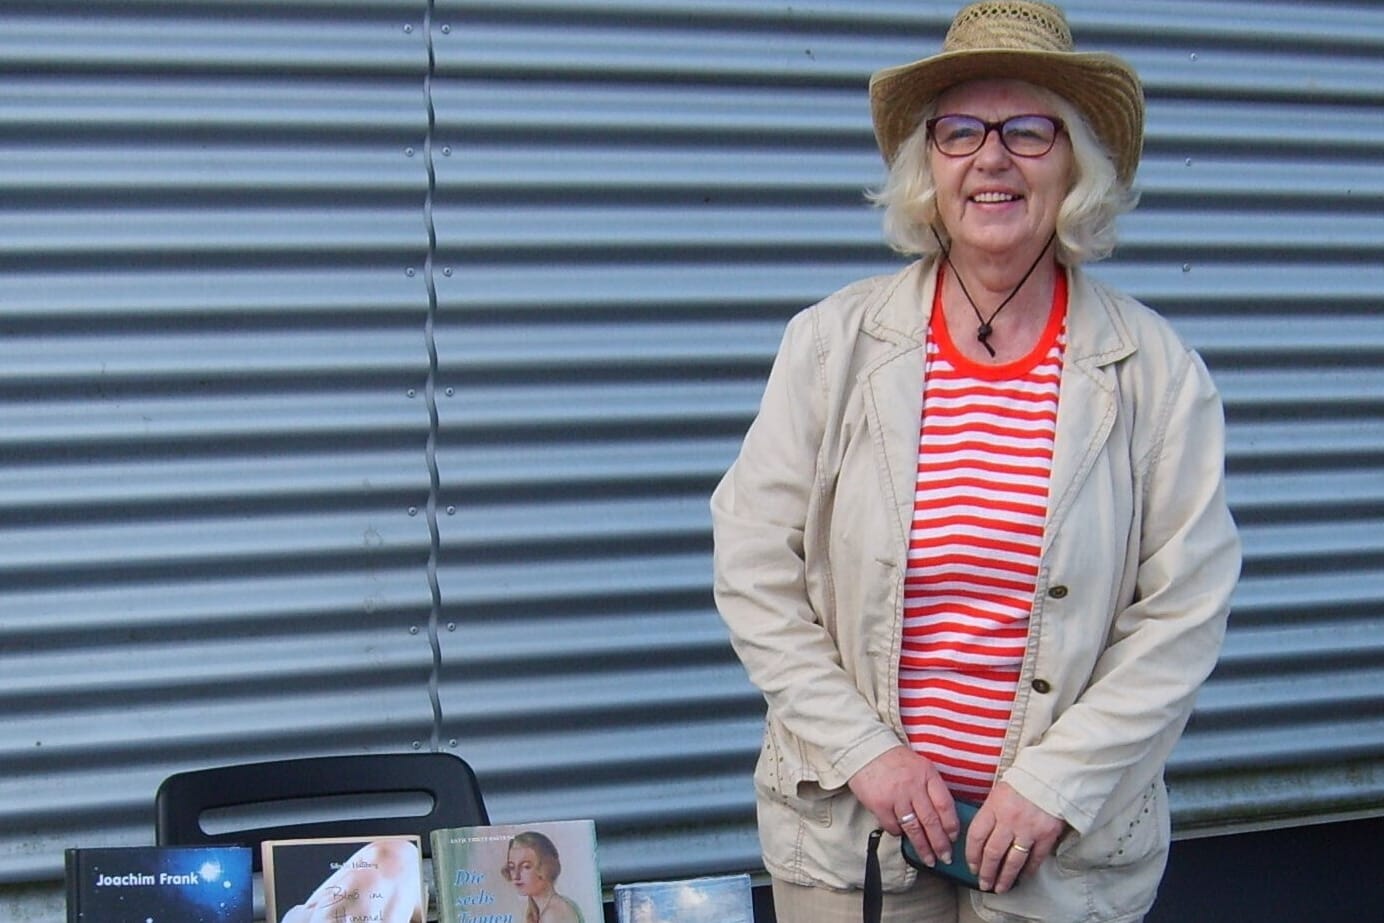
(993, 203)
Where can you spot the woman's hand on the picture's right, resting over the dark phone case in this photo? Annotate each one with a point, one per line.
(1010, 835)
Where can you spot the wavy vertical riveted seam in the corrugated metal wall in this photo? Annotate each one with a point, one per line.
(431, 391)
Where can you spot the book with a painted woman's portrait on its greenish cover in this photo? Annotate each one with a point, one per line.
(518, 874)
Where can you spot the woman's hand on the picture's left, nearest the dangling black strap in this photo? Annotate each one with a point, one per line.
(907, 796)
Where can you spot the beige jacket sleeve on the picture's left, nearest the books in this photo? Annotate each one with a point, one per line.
(761, 517)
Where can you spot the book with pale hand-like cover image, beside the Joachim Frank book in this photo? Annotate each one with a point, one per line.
(344, 881)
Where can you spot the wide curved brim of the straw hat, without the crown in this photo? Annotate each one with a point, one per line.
(1102, 86)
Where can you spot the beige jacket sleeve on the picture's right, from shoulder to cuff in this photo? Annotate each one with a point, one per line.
(1163, 644)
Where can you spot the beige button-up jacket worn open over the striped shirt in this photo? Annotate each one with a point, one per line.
(1138, 563)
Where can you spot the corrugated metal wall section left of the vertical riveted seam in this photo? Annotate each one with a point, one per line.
(211, 322)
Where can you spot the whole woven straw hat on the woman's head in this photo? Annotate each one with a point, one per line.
(1019, 41)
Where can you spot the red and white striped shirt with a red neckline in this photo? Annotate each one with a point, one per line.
(985, 461)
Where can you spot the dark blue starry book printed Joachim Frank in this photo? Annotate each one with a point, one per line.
(161, 884)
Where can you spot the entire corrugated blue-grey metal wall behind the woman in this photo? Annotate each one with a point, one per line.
(366, 367)
